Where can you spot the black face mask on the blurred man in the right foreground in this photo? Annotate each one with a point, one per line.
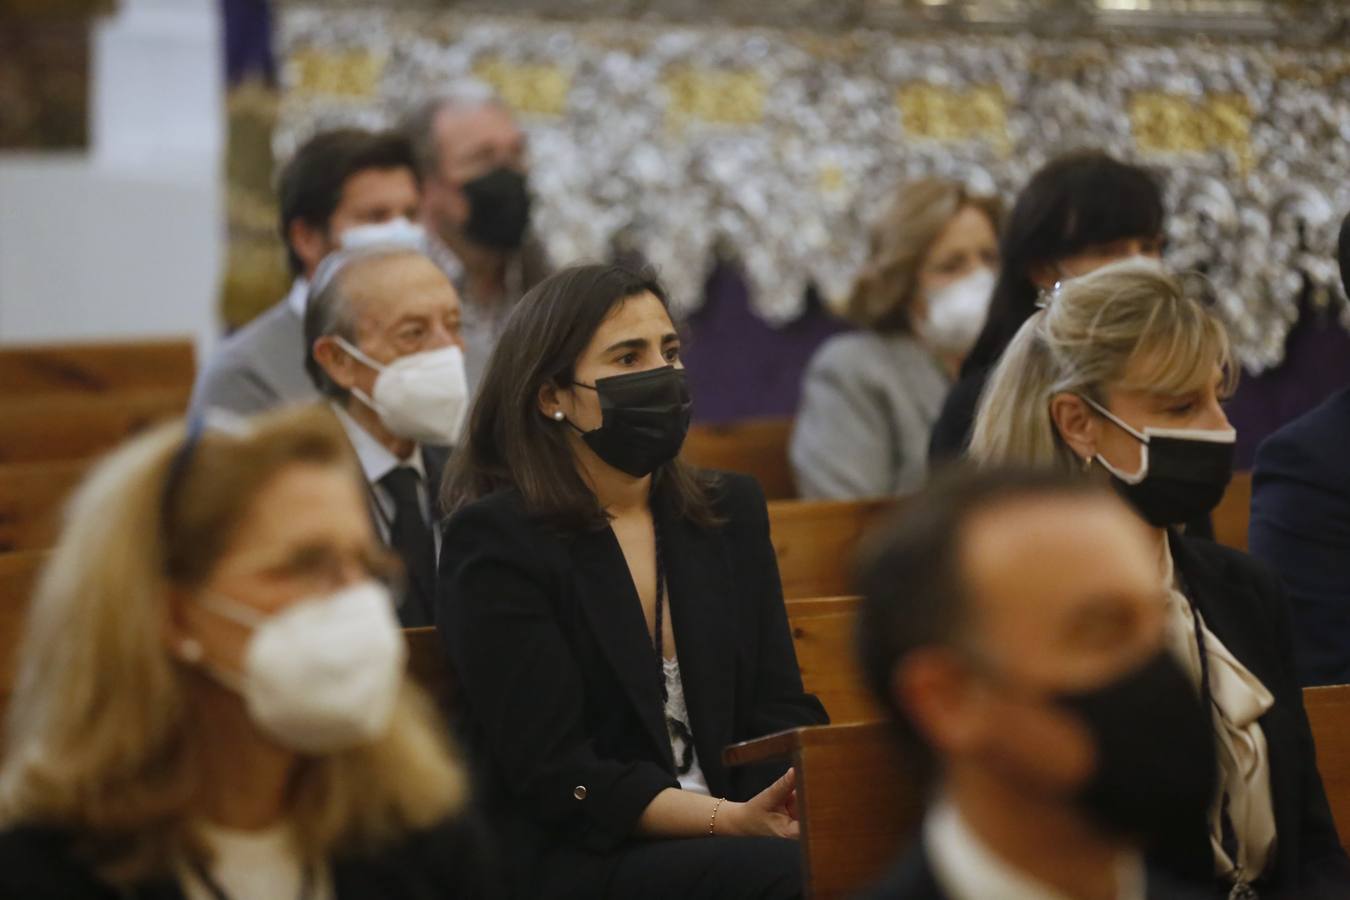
(1156, 764)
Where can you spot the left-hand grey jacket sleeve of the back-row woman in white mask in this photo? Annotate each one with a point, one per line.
(843, 445)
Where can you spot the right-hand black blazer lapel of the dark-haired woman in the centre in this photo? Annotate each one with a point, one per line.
(701, 613)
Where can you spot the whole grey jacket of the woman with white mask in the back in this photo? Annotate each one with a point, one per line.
(869, 404)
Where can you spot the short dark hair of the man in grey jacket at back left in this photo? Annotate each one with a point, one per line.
(311, 184)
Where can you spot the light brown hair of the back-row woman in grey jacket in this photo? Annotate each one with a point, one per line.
(900, 241)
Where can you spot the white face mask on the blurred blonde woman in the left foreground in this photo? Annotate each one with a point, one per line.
(322, 675)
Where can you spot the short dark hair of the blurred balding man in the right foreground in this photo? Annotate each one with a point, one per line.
(915, 594)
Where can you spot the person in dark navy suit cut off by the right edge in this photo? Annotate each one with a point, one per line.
(1301, 524)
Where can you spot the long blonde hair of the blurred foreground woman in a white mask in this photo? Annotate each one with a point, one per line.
(101, 737)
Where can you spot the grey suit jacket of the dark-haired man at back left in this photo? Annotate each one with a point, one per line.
(260, 368)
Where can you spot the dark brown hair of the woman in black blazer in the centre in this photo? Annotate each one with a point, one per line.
(511, 445)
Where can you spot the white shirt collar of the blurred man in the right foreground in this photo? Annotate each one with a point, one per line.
(967, 870)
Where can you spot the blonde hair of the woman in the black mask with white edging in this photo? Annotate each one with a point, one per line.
(1087, 338)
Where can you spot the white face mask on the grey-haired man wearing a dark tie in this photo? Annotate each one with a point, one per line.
(423, 397)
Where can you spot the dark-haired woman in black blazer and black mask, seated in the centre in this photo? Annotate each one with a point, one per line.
(577, 549)
